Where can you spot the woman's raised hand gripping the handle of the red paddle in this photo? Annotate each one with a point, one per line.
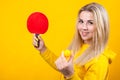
(38, 43)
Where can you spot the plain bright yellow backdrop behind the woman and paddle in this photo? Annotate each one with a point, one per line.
(19, 60)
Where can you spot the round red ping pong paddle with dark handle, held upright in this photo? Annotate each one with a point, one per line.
(37, 23)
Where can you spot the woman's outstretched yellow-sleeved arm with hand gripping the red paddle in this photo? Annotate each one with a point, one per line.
(47, 55)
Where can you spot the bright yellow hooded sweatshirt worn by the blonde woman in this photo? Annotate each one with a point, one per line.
(95, 69)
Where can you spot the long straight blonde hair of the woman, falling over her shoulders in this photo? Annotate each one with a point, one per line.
(100, 37)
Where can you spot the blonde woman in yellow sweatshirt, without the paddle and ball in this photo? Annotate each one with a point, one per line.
(90, 56)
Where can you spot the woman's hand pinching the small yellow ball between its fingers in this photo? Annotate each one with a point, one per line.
(64, 66)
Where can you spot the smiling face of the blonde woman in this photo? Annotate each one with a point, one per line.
(86, 26)
